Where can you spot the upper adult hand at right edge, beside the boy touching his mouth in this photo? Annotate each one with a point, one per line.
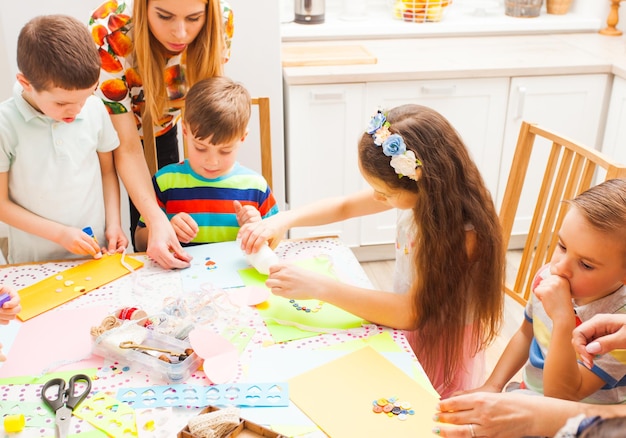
(599, 335)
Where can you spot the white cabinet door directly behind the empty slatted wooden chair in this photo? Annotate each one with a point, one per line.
(571, 105)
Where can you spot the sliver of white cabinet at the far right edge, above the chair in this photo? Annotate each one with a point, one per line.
(615, 130)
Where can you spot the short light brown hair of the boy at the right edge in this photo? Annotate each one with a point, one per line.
(604, 207)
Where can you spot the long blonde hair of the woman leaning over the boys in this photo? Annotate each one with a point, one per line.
(204, 56)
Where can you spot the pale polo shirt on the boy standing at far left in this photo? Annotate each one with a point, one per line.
(54, 170)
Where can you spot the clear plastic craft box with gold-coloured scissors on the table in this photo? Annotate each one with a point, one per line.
(107, 345)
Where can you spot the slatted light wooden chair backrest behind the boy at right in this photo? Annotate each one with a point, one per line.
(570, 169)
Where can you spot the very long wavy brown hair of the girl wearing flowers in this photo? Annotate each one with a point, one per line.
(453, 287)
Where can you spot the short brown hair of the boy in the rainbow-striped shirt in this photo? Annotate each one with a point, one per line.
(217, 109)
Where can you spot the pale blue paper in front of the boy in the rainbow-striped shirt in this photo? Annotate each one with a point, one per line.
(214, 264)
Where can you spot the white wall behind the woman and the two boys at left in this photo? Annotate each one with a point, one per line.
(255, 61)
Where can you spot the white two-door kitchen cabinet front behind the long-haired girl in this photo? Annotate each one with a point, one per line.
(326, 121)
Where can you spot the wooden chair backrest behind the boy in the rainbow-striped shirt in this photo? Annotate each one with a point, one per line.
(265, 141)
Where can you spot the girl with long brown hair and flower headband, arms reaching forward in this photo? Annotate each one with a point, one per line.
(450, 257)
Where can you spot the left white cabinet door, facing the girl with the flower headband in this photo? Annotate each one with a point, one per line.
(323, 125)
